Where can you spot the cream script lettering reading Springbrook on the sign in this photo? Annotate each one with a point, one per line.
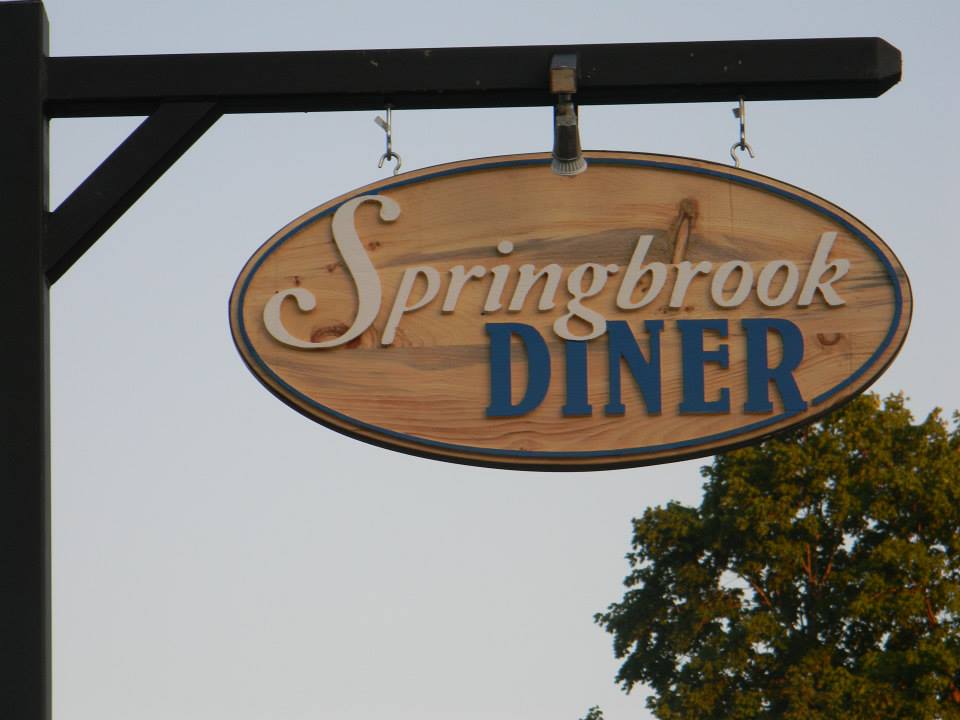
(776, 284)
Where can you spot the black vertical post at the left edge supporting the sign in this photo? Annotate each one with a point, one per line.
(24, 369)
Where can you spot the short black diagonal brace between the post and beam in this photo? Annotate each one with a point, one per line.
(121, 179)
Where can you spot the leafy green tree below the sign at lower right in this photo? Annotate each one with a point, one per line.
(818, 579)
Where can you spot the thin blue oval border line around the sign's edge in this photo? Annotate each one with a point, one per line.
(267, 372)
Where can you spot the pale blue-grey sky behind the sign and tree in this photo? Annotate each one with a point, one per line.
(217, 555)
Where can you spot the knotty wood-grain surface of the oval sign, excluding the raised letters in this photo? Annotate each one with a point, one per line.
(428, 391)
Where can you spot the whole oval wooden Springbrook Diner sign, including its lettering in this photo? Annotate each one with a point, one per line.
(490, 312)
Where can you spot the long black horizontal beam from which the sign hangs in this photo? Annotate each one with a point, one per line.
(474, 77)
